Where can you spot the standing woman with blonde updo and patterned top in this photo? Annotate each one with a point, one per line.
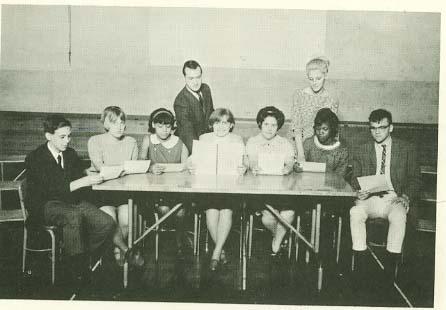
(307, 101)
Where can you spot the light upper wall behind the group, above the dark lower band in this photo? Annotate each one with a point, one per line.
(132, 57)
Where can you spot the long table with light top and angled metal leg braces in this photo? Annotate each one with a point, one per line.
(320, 186)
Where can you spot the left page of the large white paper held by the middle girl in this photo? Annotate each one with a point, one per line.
(205, 157)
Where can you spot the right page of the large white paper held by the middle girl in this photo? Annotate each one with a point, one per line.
(229, 158)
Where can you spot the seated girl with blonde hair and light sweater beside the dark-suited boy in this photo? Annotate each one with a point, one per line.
(108, 149)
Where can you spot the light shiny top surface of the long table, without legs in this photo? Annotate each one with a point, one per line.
(305, 184)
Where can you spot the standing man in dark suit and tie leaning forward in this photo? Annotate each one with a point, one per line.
(193, 105)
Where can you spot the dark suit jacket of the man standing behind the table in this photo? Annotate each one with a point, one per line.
(191, 120)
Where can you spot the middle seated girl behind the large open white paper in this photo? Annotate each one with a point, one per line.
(219, 215)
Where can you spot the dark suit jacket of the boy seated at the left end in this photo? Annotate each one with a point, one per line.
(47, 181)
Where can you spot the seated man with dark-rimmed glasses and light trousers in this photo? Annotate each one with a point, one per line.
(397, 160)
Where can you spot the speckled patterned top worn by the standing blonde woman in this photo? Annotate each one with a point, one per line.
(304, 109)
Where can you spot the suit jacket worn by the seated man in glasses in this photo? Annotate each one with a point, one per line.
(404, 167)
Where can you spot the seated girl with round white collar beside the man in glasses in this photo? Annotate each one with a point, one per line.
(324, 147)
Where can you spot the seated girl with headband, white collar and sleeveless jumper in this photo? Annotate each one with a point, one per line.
(162, 147)
